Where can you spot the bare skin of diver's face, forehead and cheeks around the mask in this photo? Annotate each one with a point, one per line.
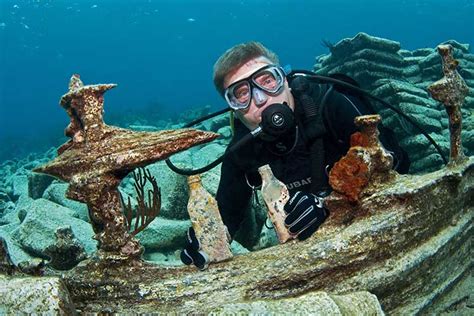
(252, 115)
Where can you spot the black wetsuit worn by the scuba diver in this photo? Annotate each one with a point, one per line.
(289, 156)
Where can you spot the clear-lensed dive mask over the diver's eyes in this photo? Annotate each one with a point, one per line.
(269, 80)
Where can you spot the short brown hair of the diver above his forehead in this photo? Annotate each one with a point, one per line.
(235, 57)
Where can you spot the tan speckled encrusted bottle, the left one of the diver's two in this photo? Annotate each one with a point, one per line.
(207, 222)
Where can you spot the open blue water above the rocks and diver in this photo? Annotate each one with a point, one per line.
(162, 52)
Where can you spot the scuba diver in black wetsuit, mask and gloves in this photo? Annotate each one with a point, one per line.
(318, 122)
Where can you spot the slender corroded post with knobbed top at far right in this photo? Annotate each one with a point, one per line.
(451, 91)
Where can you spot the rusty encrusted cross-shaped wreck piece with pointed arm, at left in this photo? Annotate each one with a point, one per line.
(98, 157)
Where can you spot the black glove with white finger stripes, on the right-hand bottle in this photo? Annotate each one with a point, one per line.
(305, 213)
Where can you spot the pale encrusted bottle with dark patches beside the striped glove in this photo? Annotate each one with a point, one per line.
(275, 194)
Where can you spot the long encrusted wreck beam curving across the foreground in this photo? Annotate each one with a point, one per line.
(409, 244)
